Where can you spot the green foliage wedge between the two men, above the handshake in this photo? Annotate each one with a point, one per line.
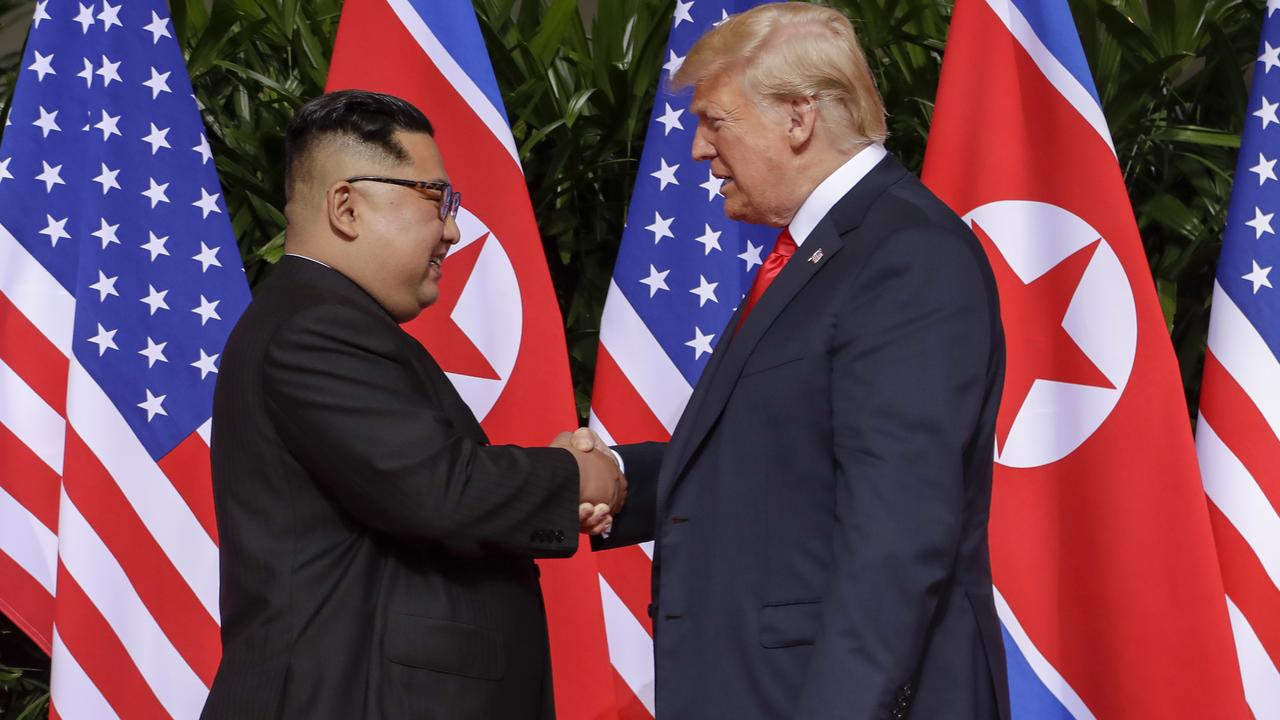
(579, 106)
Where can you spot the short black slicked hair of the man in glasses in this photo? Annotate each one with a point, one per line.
(368, 120)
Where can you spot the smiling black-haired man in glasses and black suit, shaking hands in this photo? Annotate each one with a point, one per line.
(376, 550)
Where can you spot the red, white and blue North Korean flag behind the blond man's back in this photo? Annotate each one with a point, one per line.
(1108, 585)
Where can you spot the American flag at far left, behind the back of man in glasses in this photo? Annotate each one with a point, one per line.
(120, 281)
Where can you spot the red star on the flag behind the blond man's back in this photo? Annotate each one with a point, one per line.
(1037, 345)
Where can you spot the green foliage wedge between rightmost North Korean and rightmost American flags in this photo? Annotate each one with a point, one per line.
(1173, 80)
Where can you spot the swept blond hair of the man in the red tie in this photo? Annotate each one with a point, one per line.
(789, 51)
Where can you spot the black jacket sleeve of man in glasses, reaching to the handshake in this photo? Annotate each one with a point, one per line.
(350, 412)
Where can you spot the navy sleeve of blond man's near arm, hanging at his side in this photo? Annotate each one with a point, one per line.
(911, 357)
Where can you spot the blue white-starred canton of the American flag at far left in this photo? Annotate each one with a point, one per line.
(107, 180)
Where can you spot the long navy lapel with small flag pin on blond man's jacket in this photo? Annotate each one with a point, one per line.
(721, 377)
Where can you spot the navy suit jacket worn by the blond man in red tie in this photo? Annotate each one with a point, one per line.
(821, 512)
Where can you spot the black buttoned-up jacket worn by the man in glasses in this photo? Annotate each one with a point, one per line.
(376, 550)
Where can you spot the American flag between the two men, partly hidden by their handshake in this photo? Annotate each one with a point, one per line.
(682, 271)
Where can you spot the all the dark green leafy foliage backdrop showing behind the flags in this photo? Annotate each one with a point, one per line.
(1172, 76)
